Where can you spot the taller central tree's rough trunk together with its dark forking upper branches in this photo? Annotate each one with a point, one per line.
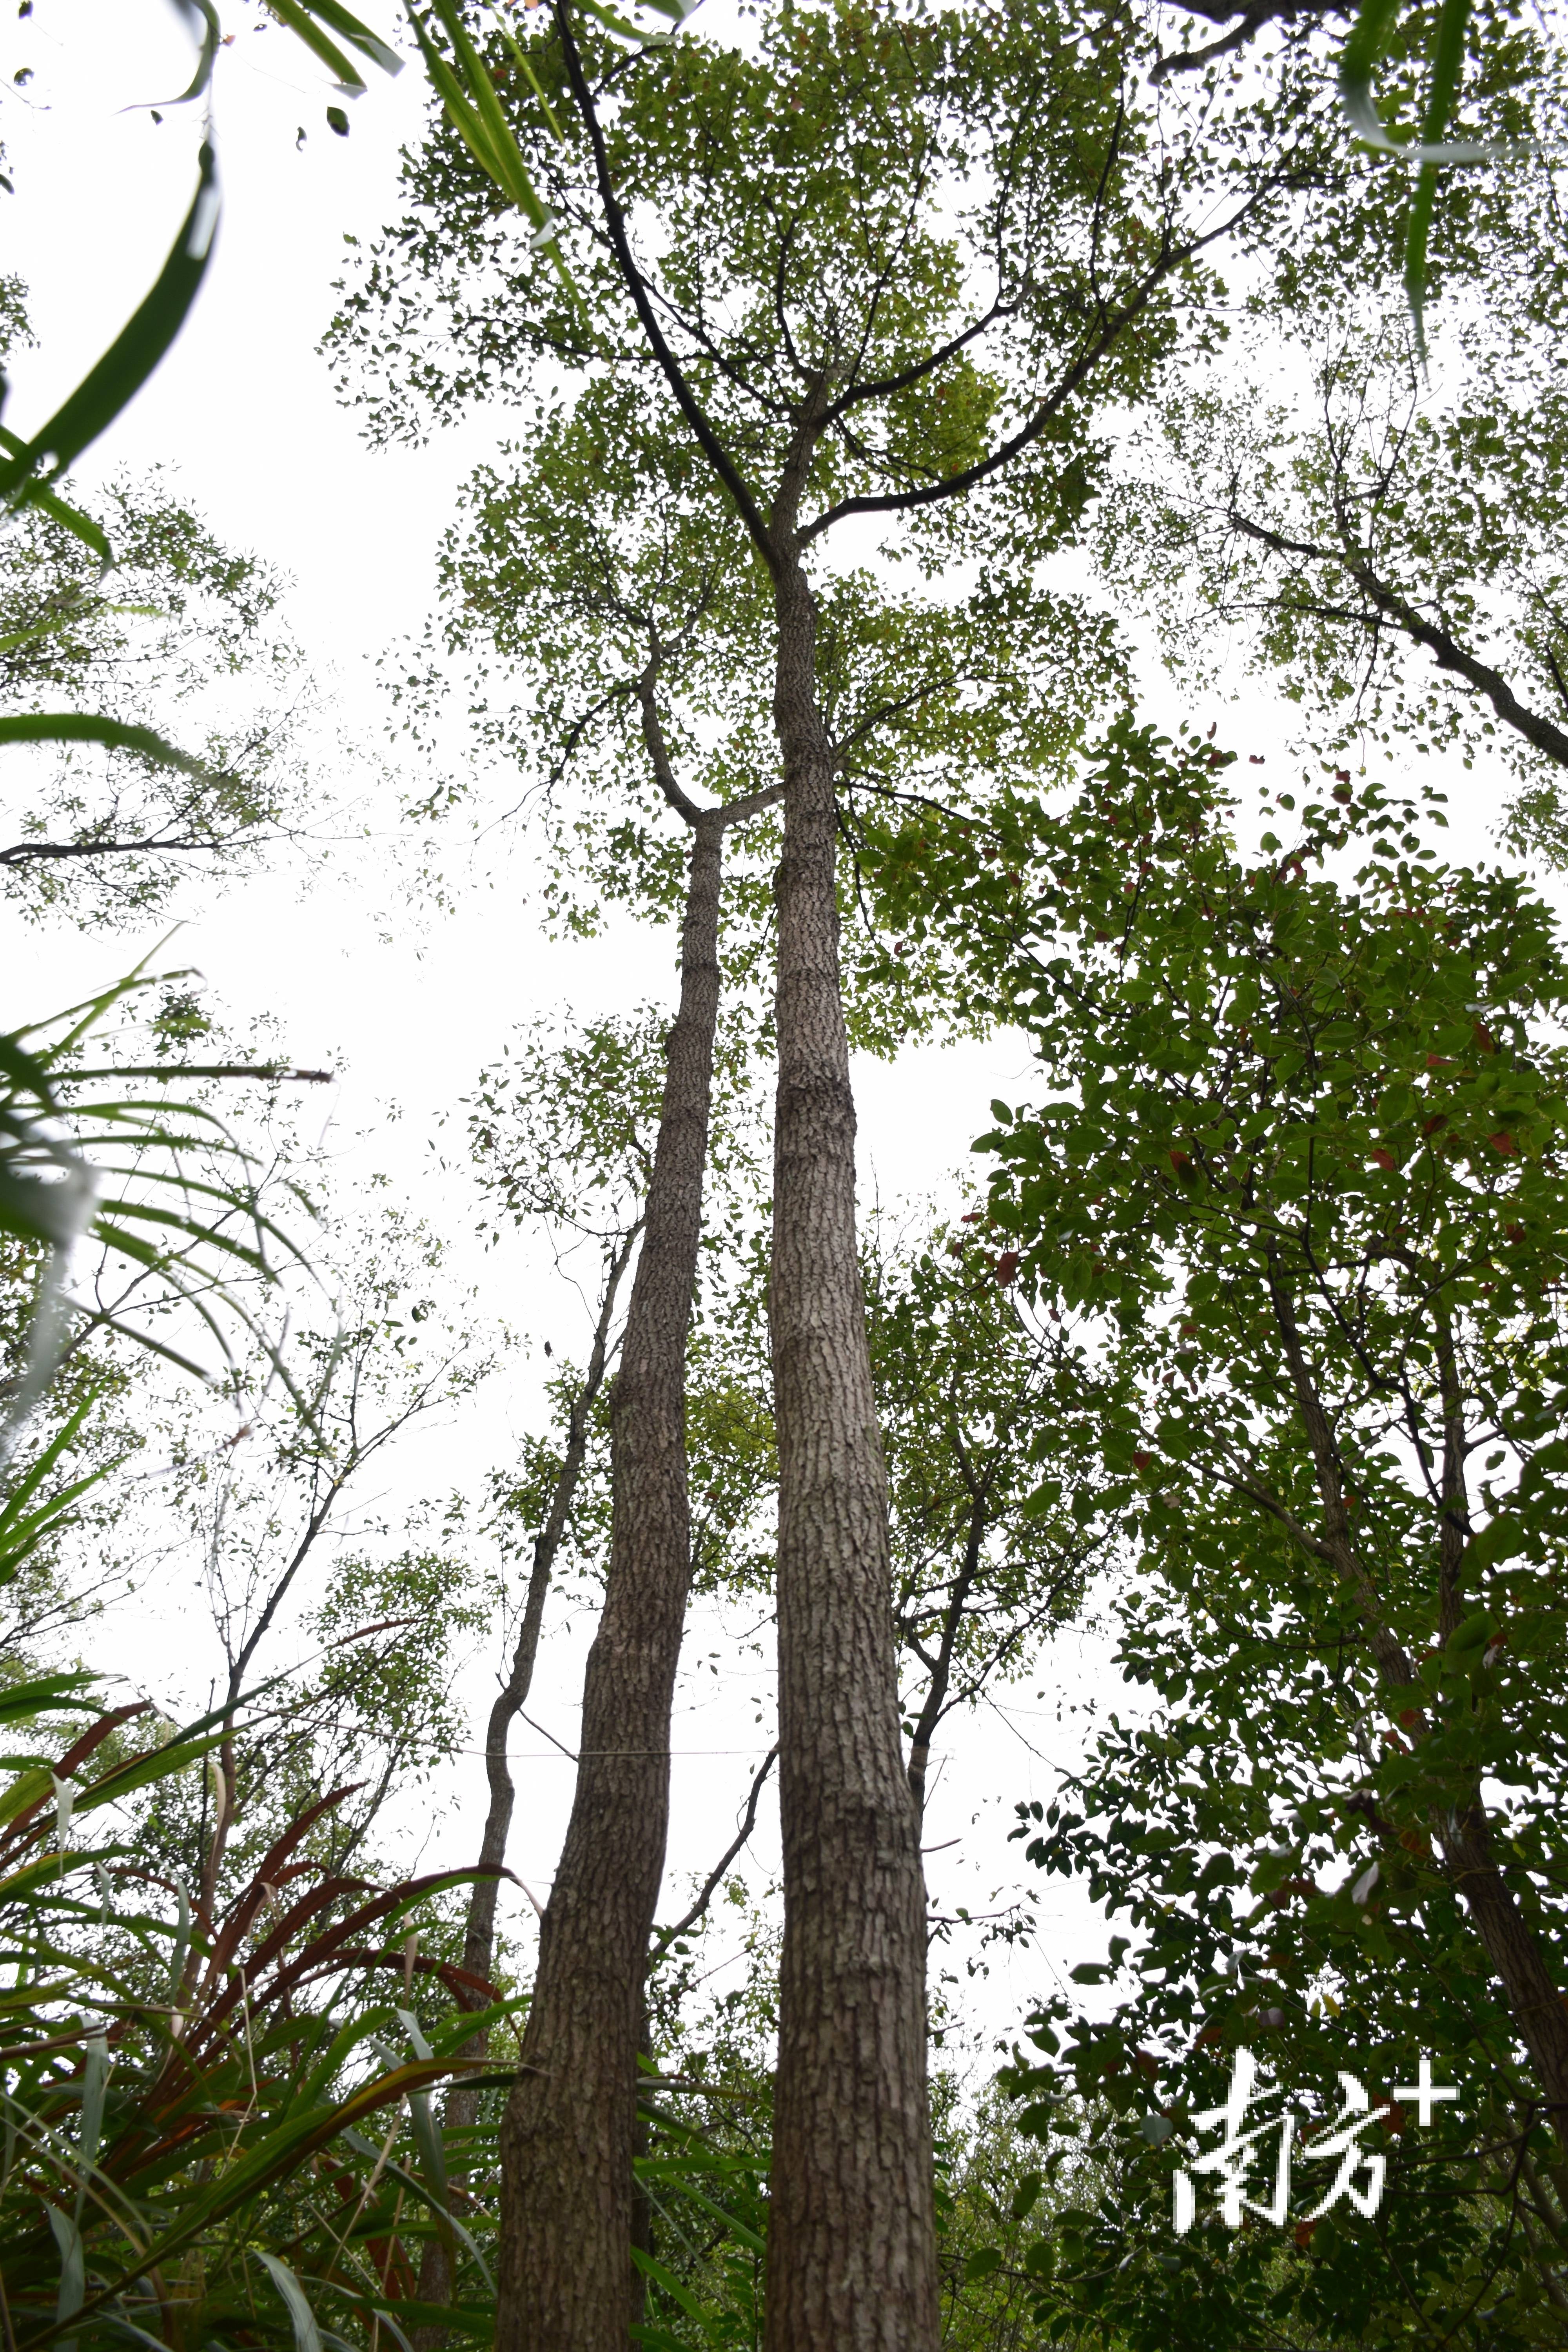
(852, 2226)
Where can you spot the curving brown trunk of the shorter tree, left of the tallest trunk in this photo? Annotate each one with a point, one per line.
(568, 2137)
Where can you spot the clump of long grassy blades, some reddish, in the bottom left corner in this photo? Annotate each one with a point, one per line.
(182, 2085)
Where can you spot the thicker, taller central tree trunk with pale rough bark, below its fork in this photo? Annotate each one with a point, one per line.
(852, 2231)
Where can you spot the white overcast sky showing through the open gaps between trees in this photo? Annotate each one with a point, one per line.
(410, 1003)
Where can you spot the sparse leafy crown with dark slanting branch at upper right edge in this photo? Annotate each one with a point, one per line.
(1386, 549)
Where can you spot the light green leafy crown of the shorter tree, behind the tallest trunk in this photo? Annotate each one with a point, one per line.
(598, 601)
